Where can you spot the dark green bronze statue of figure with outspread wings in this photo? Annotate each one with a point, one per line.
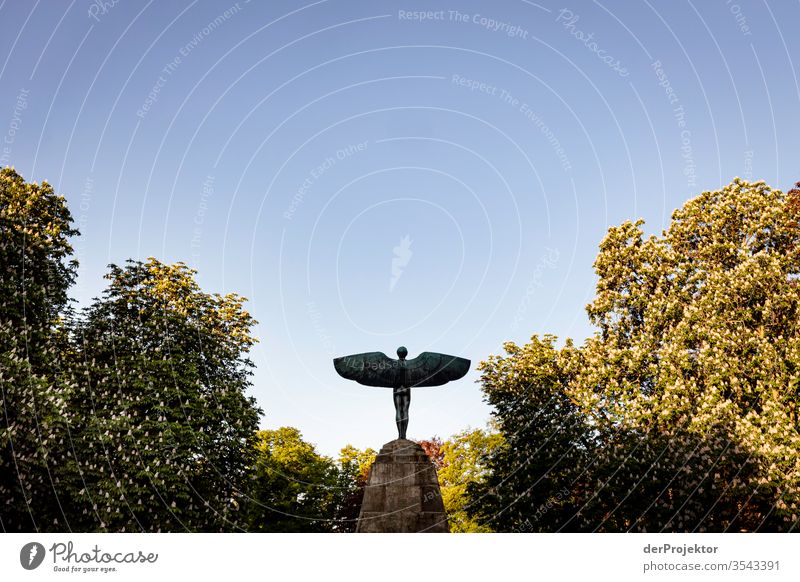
(378, 369)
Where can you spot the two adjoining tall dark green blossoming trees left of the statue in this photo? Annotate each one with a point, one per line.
(129, 416)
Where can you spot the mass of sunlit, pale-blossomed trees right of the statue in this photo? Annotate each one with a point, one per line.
(680, 413)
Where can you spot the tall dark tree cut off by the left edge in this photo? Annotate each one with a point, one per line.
(36, 272)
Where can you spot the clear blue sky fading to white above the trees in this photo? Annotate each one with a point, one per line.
(371, 174)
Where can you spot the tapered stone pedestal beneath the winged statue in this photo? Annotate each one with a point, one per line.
(402, 492)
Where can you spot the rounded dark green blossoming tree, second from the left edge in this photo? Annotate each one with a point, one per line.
(162, 427)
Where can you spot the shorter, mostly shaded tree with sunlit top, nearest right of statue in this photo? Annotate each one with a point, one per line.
(546, 441)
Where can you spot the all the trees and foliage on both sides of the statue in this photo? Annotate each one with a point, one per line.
(680, 413)
